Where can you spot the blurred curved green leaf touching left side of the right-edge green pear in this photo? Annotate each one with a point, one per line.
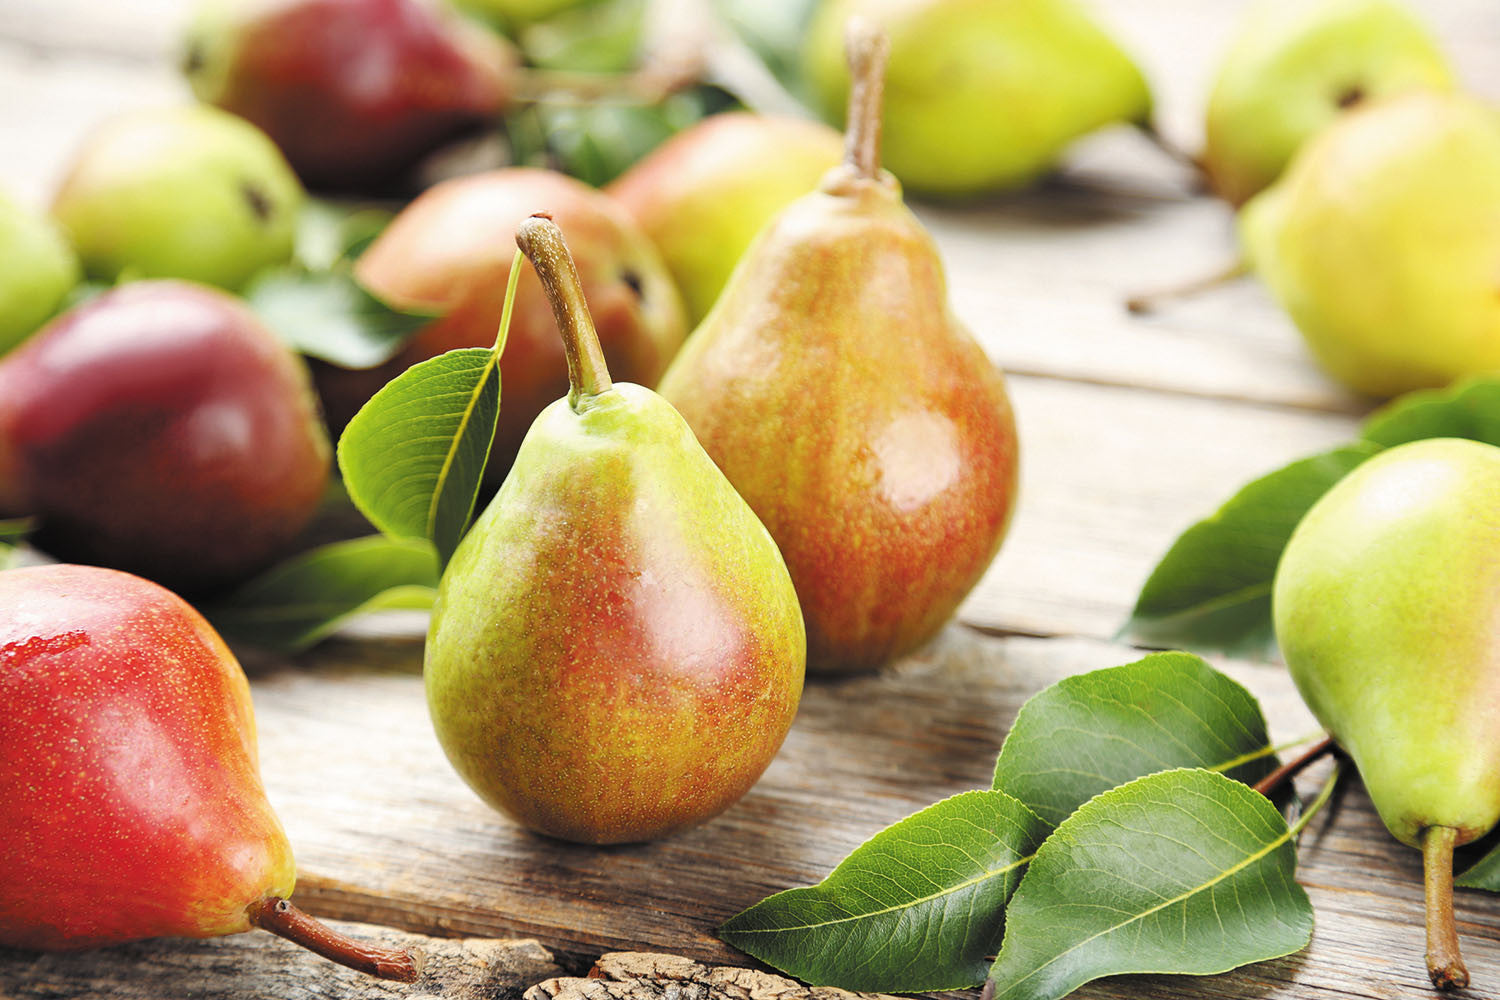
(1213, 588)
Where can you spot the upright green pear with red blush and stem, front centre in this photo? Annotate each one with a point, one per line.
(617, 650)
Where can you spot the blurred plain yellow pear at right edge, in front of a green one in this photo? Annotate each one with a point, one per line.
(1382, 238)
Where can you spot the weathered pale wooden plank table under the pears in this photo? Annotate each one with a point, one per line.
(1132, 430)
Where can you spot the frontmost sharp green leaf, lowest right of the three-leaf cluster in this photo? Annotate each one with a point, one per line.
(1183, 872)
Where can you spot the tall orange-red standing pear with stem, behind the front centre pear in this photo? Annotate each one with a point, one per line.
(850, 407)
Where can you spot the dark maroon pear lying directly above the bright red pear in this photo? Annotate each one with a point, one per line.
(161, 430)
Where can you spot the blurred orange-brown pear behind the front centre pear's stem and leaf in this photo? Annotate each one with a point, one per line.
(451, 253)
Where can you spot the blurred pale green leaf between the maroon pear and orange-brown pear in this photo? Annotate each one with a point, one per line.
(329, 316)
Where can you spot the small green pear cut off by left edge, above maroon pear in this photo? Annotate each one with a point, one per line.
(40, 271)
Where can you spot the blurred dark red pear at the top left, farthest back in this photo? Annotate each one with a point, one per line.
(355, 92)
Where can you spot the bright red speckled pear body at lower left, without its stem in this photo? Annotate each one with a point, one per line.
(128, 770)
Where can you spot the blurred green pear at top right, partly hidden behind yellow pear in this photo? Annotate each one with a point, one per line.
(1294, 68)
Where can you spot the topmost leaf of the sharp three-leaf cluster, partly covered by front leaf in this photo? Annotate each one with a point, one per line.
(1093, 732)
